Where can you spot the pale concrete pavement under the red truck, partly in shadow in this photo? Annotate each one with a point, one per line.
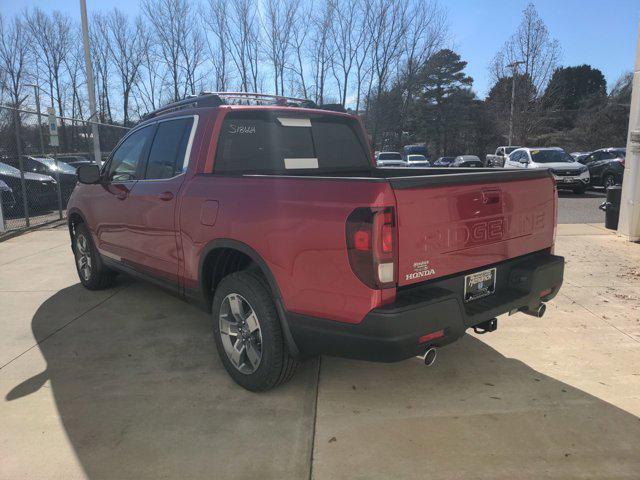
(126, 383)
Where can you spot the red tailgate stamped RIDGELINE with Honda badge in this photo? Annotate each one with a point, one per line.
(446, 228)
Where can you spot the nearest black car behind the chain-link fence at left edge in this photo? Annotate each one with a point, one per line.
(41, 189)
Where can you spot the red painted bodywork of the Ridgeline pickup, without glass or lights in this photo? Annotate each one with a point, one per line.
(297, 226)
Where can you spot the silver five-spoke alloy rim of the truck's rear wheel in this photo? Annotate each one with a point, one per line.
(240, 333)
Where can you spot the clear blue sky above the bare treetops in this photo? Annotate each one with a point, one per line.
(597, 32)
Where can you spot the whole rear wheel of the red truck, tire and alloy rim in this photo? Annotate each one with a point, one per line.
(248, 335)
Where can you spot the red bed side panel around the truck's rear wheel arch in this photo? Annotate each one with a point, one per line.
(297, 226)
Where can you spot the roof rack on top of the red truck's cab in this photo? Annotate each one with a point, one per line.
(215, 99)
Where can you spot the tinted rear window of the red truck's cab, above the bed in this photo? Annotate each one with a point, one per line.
(277, 141)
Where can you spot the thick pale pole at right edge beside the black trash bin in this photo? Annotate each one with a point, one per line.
(629, 222)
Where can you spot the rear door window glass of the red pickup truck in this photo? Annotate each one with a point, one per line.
(167, 155)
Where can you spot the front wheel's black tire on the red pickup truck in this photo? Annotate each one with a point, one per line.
(98, 276)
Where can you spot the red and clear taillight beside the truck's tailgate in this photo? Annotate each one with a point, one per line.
(371, 240)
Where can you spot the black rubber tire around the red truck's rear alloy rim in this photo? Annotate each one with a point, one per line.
(276, 365)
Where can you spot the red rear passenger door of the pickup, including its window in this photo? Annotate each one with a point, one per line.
(152, 201)
